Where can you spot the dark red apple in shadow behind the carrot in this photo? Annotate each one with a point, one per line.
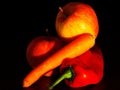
(40, 48)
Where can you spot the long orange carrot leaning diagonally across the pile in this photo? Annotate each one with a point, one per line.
(76, 47)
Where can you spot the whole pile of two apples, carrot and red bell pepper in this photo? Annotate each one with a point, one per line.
(74, 51)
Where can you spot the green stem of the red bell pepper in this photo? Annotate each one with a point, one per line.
(67, 75)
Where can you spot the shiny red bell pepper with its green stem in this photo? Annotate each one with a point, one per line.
(83, 70)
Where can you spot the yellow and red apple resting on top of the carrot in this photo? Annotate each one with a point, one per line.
(76, 18)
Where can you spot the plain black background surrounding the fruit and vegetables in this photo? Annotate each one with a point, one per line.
(22, 21)
